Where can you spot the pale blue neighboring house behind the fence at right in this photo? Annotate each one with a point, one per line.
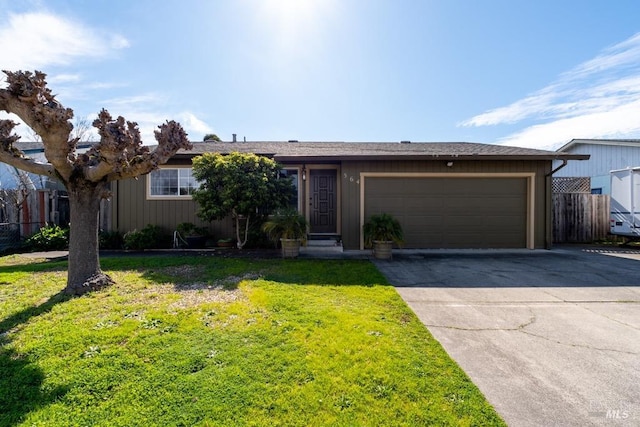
(606, 155)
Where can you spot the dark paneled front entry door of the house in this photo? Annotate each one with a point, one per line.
(323, 198)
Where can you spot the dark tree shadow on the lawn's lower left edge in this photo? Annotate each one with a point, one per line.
(21, 380)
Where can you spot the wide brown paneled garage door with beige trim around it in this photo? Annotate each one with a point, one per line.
(453, 212)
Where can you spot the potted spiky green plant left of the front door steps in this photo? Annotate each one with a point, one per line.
(288, 227)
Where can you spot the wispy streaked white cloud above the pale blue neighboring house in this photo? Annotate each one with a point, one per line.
(599, 98)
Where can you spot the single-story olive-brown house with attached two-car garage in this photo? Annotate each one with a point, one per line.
(446, 195)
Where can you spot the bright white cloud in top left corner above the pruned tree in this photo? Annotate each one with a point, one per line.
(37, 40)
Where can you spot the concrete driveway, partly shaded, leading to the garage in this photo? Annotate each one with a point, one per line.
(552, 338)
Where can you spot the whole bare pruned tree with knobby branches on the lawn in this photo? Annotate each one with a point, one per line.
(118, 154)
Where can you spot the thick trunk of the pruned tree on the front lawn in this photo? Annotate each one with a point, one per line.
(84, 273)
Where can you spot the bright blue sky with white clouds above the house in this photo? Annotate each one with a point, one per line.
(523, 73)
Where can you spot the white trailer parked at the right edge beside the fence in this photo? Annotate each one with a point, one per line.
(625, 202)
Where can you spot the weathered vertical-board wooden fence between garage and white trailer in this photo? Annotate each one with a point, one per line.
(580, 217)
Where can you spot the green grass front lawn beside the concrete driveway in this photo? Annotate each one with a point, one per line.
(222, 342)
